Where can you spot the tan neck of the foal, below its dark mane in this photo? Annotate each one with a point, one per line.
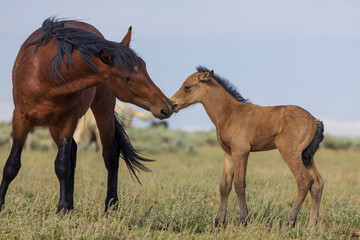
(218, 104)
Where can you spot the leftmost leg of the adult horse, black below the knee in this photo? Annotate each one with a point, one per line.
(20, 127)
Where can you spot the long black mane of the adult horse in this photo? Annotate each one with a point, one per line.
(69, 38)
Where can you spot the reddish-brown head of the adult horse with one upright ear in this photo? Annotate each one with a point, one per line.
(133, 84)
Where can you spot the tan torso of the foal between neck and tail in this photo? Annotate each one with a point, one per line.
(258, 126)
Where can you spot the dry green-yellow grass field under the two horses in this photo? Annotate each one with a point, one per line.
(179, 199)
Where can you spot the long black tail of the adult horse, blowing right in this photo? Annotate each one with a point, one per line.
(126, 151)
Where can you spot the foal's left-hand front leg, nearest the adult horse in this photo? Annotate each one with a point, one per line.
(225, 188)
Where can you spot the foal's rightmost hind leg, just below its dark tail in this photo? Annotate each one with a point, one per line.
(315, 191)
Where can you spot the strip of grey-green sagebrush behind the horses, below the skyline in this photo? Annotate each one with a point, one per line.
(156, 140)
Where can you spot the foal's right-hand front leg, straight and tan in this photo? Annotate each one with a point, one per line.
(240, 159)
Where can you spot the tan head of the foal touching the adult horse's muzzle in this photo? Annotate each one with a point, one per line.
(192, 90)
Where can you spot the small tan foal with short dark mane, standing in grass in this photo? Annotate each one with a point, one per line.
(243, 127)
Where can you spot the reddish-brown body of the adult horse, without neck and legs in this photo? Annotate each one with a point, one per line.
(33, 80)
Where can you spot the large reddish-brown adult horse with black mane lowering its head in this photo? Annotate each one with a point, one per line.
(63, 69)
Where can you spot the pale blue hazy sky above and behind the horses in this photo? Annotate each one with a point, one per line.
(278, 52)
